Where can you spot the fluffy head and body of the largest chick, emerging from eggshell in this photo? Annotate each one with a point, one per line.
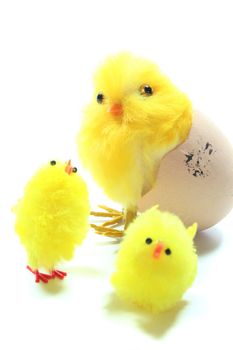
(135, 117)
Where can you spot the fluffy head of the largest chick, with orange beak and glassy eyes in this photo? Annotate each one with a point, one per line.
(132, 94)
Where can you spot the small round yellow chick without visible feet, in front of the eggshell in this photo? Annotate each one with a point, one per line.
(157, 261)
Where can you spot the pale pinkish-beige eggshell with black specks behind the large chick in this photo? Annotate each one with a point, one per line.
(195, 181)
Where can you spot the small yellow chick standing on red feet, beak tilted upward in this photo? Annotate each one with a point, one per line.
(52, 218)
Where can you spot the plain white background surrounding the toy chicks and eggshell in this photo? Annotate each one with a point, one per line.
(48, 52)
